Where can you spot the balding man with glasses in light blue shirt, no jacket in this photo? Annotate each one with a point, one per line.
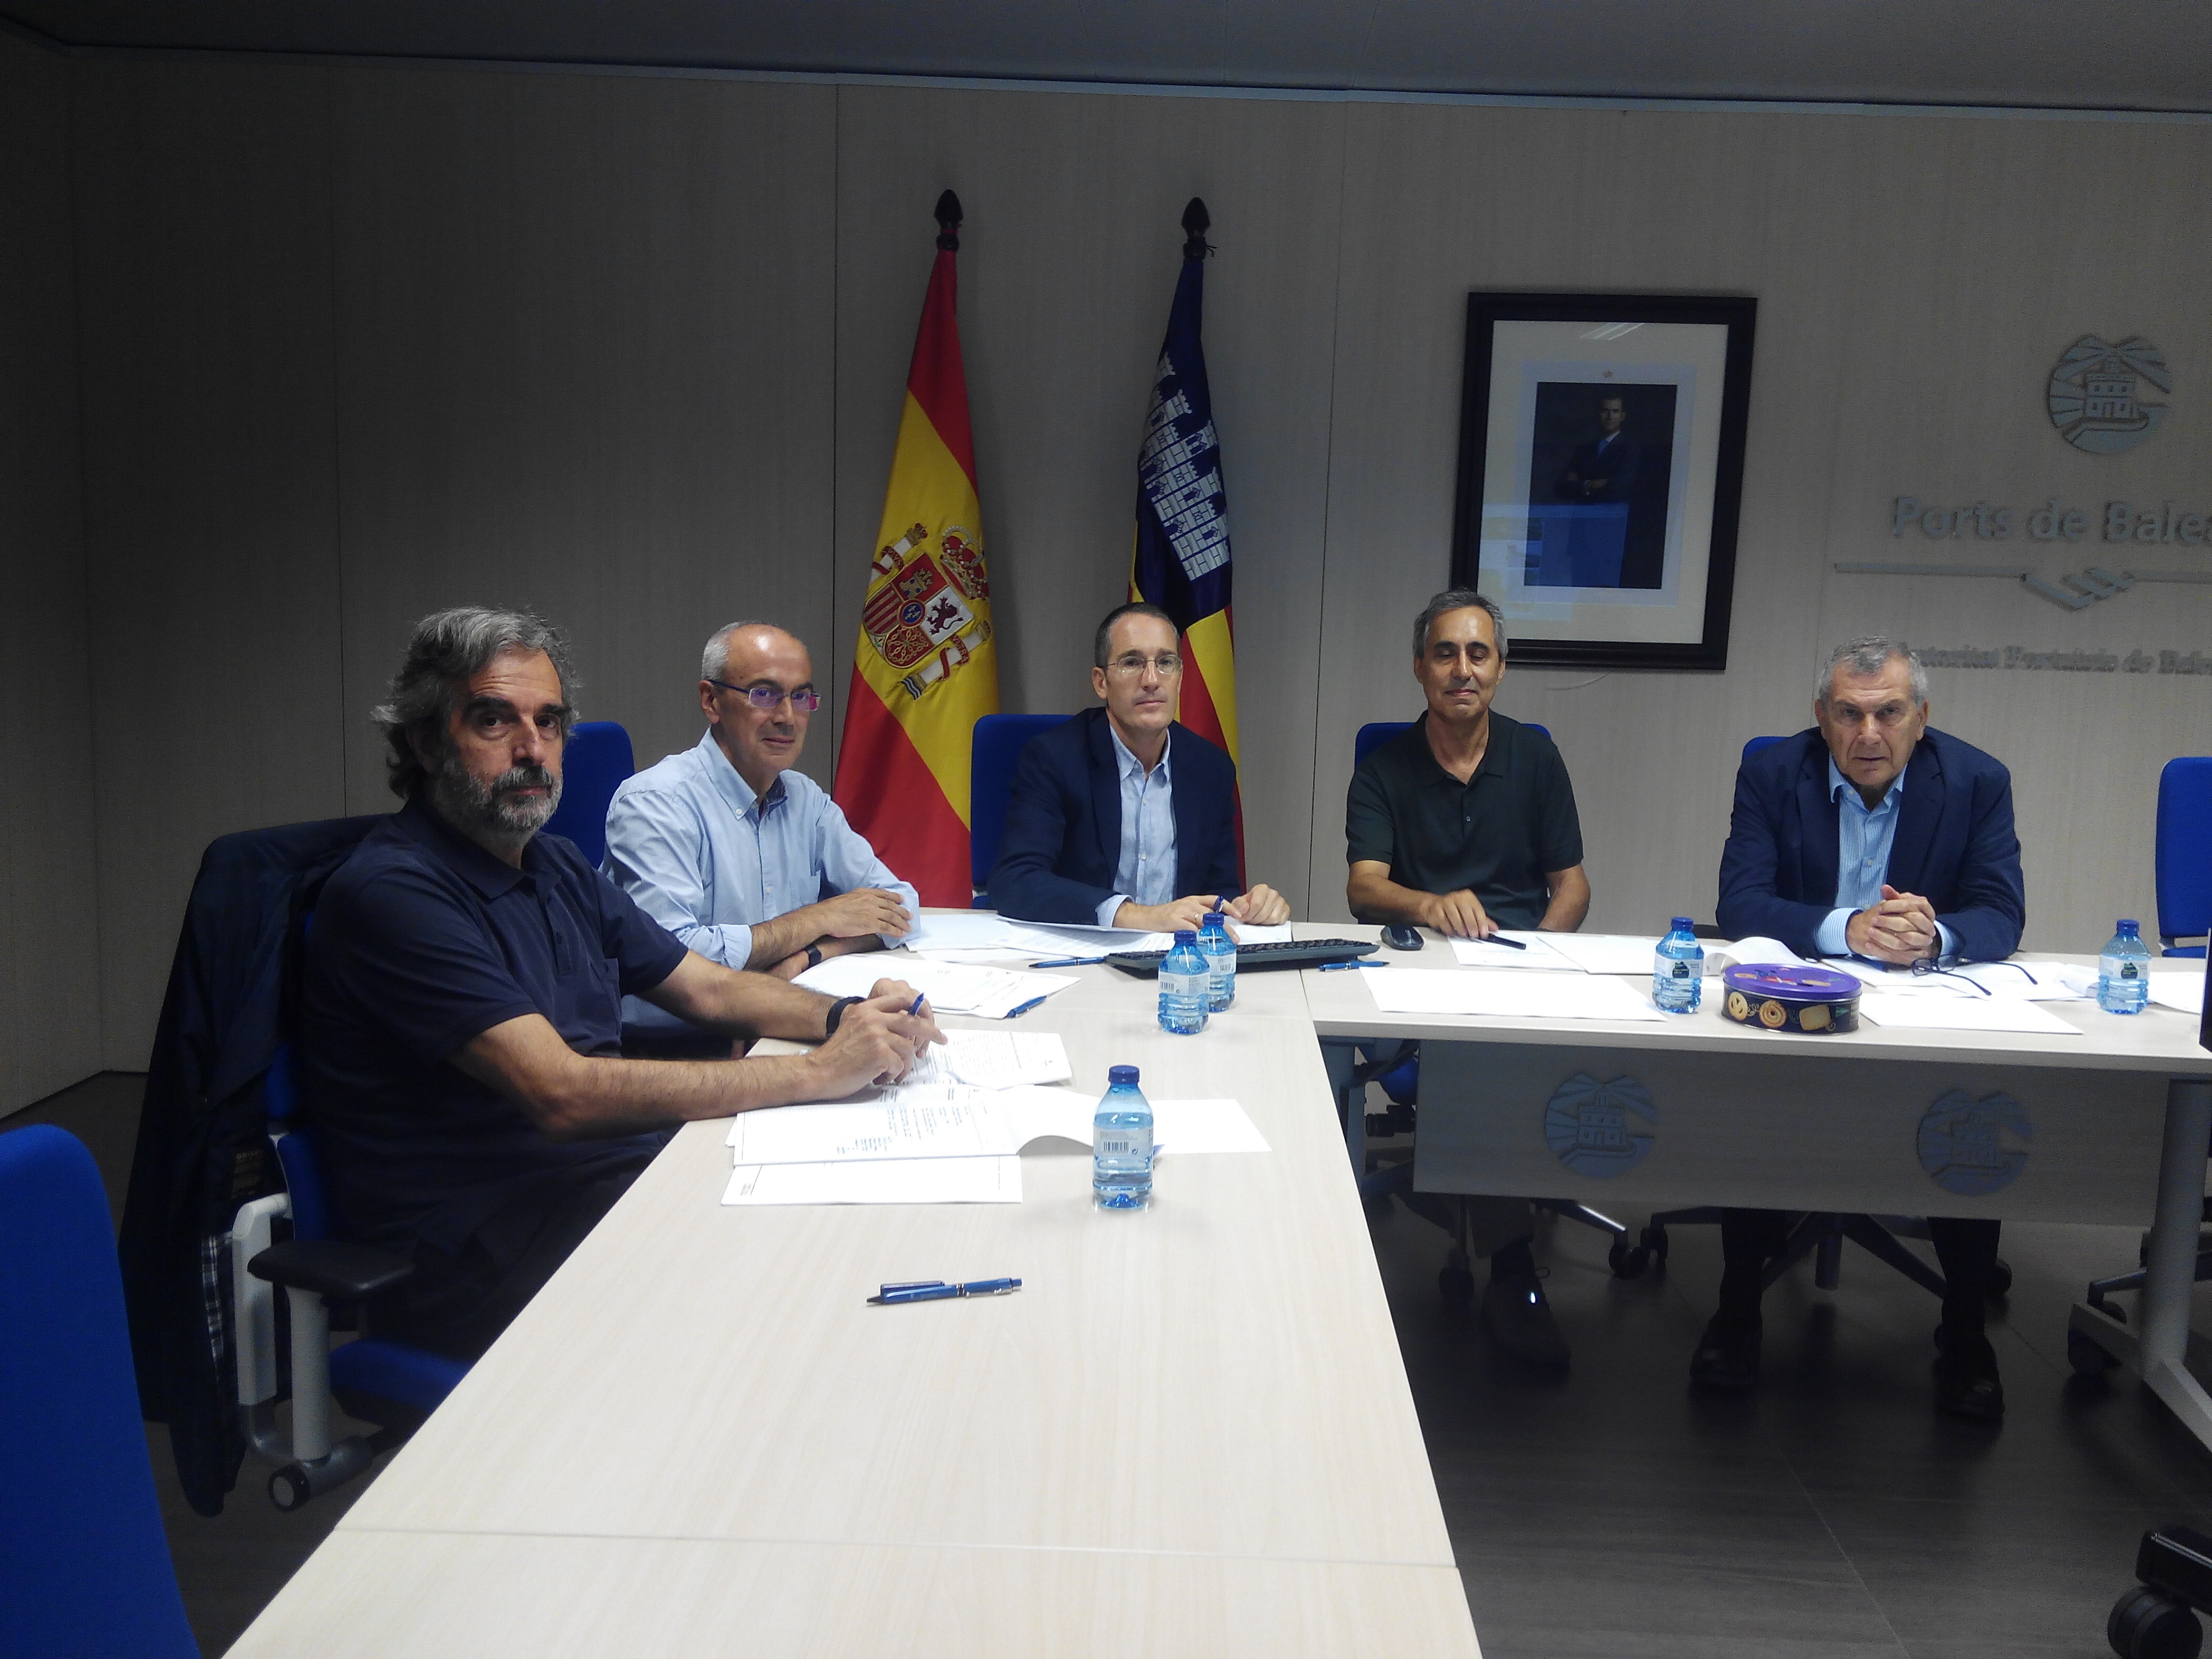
(731, 851)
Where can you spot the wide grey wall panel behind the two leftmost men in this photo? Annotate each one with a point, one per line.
(587, 368)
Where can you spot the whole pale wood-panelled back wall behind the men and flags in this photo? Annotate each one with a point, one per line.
(366, 342)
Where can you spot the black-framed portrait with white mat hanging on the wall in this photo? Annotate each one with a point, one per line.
(1603, 474)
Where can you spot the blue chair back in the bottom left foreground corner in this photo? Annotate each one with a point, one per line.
(83, 1558)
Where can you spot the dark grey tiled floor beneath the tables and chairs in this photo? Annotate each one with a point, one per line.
(1614, 1514)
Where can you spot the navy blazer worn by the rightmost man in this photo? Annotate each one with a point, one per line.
(1954, 846)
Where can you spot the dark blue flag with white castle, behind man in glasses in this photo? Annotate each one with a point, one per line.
(1182, 554)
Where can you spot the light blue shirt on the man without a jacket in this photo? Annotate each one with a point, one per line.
(709, 859)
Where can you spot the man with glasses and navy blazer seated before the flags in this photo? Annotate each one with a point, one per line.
(1125, 817)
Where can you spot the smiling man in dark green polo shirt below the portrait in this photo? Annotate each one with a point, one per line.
(1468, 824)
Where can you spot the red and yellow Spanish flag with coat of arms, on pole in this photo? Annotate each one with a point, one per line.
(924, 671)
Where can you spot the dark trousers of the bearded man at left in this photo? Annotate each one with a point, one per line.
(459, 1304)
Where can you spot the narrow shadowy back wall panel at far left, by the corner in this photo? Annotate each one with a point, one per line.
(211, 483)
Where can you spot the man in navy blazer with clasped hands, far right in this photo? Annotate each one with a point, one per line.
(1888, 842)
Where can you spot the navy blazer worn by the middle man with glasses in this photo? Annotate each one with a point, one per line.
(1063, 842)
